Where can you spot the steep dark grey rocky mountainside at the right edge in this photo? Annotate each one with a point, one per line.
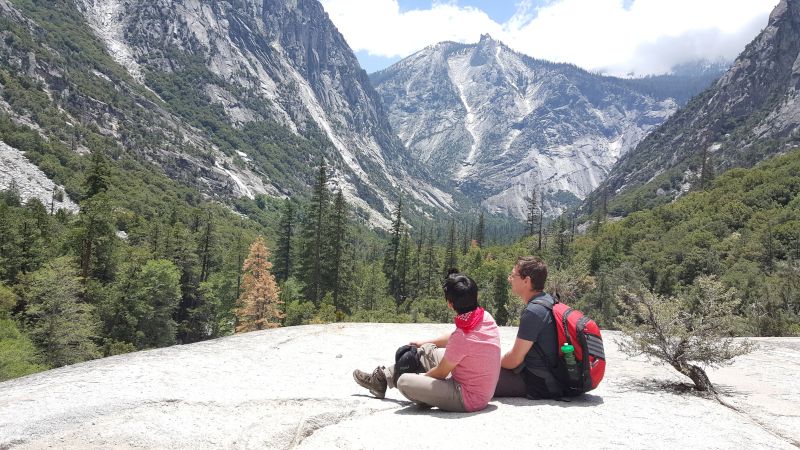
(749, 114)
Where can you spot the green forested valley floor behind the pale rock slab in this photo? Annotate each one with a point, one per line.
(113, 278)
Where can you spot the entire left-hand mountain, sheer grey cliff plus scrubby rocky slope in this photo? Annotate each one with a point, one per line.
(236, 98)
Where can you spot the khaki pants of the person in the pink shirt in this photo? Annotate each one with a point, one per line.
(443, 394)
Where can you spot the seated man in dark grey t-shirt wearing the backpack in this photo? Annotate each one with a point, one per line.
(526, 367)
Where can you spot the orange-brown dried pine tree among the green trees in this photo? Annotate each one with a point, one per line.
(258, 304)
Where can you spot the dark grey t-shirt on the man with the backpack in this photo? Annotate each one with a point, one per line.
(536, 324)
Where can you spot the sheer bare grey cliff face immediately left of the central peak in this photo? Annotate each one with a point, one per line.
(275, 60)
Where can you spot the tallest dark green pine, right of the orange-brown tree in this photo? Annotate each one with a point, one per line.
(312, 271)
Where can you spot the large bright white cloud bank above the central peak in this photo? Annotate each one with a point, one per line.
(649, 36)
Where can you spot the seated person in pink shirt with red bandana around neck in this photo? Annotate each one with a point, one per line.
(471, 353)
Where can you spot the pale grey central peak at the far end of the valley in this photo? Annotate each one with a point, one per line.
(502, 124)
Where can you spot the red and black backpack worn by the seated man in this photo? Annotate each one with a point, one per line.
(583, 333)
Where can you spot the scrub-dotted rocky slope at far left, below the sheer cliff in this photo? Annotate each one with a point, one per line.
(61, 95)
